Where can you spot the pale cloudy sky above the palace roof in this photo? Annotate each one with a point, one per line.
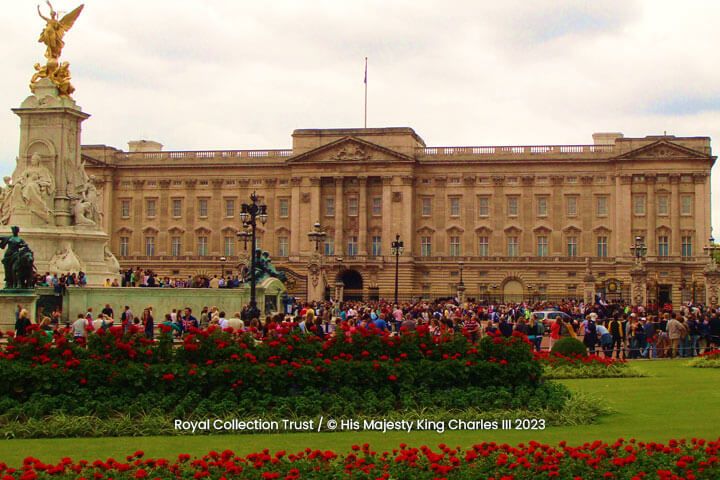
(237, 74)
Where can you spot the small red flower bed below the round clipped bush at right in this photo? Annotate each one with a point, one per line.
(557, 366)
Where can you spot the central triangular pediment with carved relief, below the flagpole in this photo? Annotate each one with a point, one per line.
(350, 150)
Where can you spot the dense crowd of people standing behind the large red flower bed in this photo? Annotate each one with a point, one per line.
(608, 329)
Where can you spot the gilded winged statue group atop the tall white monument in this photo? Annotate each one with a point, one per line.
(52, 36)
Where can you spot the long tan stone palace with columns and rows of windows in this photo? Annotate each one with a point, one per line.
(520, 221)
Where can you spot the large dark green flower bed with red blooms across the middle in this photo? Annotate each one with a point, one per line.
(220, 373)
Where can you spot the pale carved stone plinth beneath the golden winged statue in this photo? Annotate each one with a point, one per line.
(50, 197)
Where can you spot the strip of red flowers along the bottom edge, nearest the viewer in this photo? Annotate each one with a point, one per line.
(621, 460)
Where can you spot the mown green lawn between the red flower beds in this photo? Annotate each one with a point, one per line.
(673, 401)
